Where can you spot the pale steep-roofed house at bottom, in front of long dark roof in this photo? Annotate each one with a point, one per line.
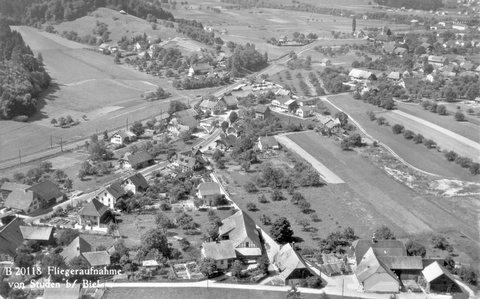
(374, 276)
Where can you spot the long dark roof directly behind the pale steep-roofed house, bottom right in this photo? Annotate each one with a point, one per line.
(381, 248)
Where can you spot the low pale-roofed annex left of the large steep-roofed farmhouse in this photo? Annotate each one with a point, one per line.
(221, 251)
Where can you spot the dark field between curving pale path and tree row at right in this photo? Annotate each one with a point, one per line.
(421, 157)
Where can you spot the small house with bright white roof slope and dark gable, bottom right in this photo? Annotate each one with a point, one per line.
(438, 280)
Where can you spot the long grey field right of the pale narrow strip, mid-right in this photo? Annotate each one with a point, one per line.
(367, 184)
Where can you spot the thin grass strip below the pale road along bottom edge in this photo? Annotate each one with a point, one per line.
(198, 293)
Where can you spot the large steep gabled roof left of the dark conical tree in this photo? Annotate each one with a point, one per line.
(238, 227)
